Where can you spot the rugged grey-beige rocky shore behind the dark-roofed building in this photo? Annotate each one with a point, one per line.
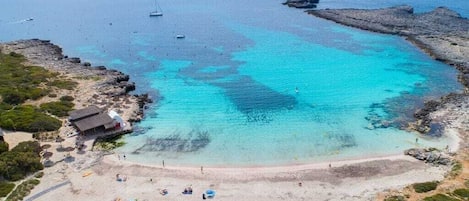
(108, 88)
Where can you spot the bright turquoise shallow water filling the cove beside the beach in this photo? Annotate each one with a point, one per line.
(289, 101)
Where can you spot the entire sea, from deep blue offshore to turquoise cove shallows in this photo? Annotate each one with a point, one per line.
(252, 83)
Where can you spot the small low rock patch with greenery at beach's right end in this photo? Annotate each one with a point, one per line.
(430, 155)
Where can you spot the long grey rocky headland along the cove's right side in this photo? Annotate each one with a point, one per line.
(441, 33)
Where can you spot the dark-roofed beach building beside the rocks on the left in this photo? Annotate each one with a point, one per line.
(91, 120)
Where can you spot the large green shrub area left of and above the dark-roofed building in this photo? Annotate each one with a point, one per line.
(19, 83)
